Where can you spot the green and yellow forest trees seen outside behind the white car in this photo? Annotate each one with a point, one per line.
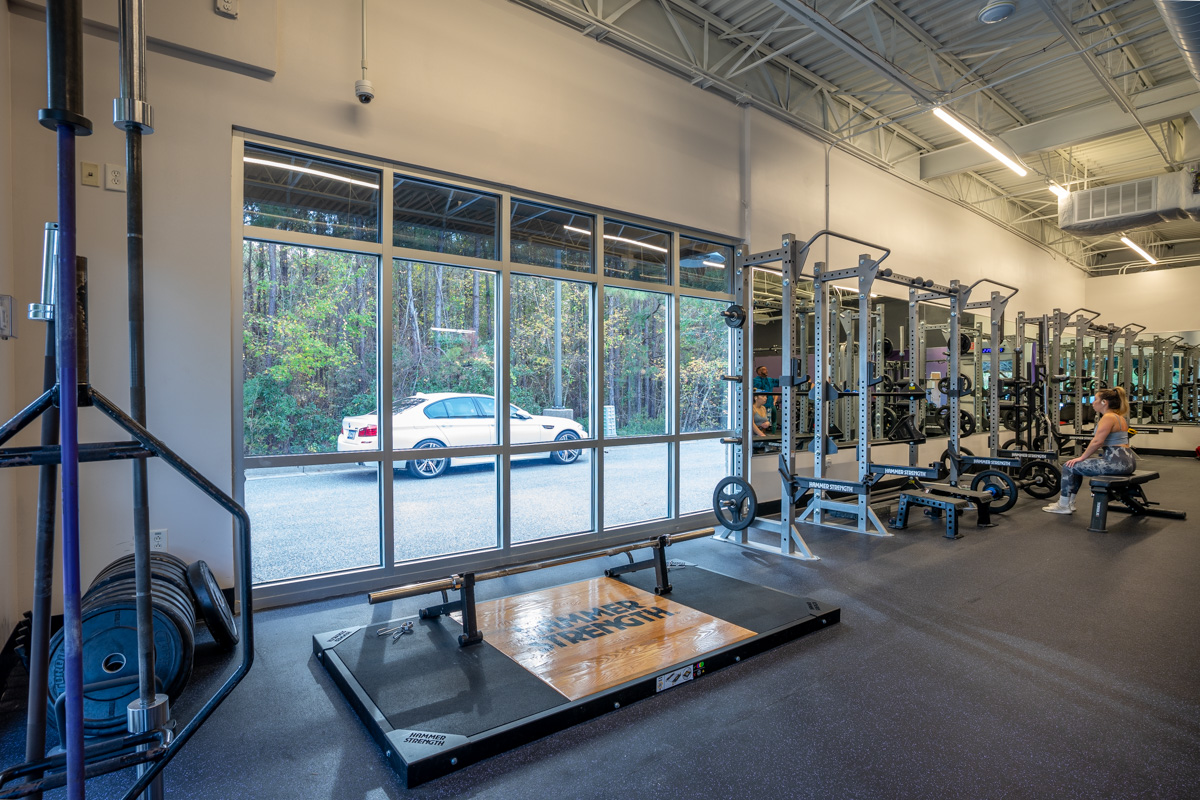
(310, 346)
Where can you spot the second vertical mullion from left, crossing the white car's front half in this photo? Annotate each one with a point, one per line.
(502, 338)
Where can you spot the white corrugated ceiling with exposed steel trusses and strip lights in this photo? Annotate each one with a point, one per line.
(1085, 93)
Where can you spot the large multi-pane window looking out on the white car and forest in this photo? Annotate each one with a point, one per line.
(543, 378)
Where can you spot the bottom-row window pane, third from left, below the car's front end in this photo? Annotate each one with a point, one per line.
(551, 495)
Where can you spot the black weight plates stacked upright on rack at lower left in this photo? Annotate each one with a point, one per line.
(111, 636)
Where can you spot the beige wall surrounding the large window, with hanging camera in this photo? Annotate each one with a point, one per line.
(483, 89)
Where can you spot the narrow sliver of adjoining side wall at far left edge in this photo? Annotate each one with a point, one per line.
(10, 611)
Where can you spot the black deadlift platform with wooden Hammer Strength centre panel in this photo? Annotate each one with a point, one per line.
(549, 660)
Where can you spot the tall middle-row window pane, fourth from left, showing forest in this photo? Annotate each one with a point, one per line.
(635, 362)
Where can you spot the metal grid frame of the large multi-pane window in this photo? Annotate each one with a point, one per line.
(389, 573)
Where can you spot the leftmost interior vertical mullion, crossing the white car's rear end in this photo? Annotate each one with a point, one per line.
(385, 326)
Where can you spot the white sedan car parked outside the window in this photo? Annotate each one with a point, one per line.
(454, 420)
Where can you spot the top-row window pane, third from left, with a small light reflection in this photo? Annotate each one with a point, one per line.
(548, 237)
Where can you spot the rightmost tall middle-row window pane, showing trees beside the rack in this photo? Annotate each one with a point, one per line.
(704, 359)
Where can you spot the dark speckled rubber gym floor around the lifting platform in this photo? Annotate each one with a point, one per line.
(1030, 660)
